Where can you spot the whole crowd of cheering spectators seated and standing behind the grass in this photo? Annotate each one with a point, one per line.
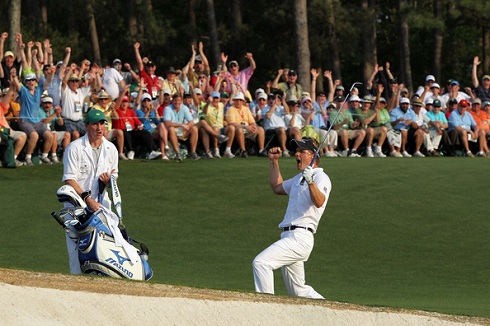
(198, 112)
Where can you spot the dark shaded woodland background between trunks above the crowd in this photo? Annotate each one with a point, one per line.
(166, 30)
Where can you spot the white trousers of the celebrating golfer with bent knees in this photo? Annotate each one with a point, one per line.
(289, 253)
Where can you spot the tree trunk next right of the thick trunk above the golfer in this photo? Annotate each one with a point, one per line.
(369, 52)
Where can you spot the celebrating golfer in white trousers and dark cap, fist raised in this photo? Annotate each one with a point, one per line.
(308, 195)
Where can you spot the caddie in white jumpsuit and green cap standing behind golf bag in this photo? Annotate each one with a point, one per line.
(86, 160)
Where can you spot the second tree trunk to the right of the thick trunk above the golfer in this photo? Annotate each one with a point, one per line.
(406, 69)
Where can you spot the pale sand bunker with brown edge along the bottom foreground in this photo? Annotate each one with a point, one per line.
(30, 298)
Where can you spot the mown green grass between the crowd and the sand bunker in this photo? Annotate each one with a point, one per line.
(404, 233)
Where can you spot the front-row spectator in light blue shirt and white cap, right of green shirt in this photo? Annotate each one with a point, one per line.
(404, 120)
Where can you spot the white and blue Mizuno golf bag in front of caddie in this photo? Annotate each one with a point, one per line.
(102, 248)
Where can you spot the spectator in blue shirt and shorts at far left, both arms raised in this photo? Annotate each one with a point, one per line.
(30, 121)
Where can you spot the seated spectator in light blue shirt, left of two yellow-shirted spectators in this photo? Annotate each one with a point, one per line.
(180, 125)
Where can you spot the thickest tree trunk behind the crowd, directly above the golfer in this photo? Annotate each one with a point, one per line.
(303, 49)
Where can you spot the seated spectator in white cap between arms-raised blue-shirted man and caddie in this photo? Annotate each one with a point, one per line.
(54, 122)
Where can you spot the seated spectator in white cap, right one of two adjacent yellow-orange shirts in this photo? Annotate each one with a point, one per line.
(239, 116)
